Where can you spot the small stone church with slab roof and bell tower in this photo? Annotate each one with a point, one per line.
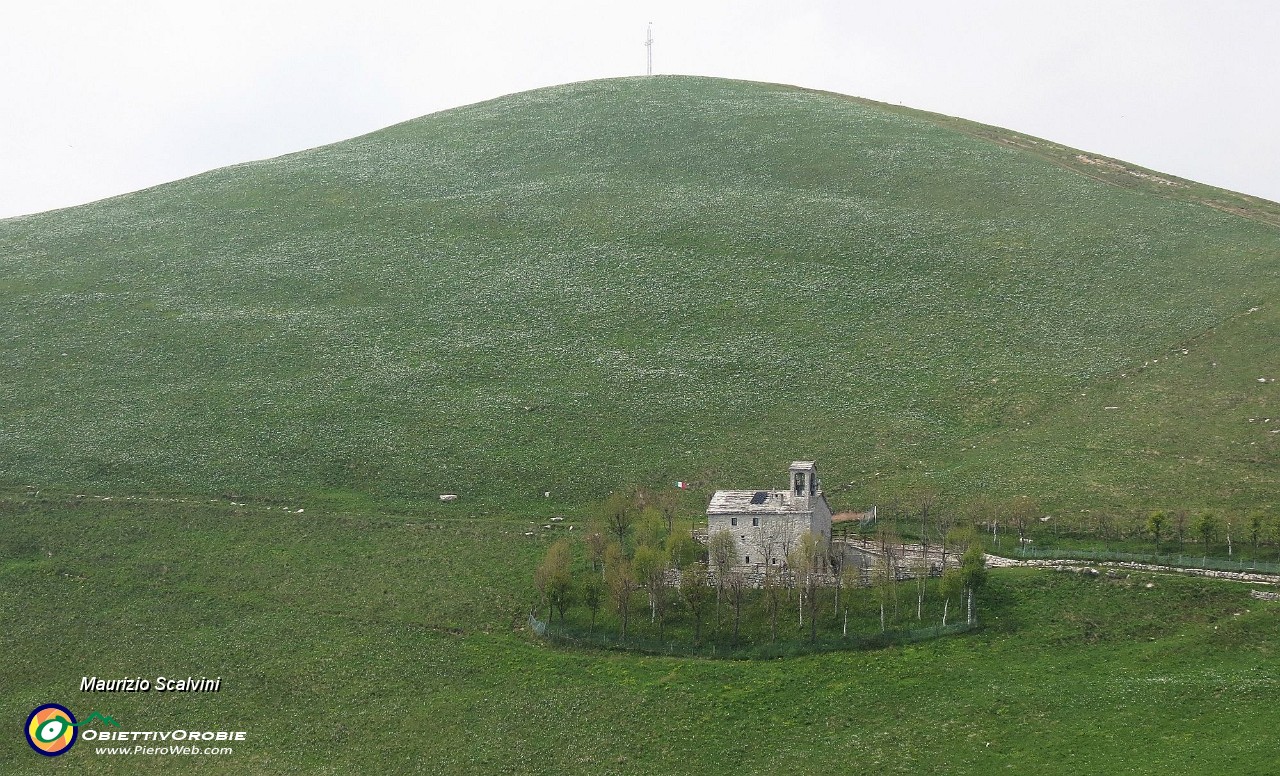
(769, 524)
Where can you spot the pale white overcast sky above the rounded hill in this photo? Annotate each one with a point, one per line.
(104, 97)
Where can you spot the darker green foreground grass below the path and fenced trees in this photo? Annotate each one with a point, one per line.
(364, 643)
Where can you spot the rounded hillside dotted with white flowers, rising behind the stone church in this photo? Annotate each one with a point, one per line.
(639, 281)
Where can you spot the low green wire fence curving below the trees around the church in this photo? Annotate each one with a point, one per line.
(568, 637)
